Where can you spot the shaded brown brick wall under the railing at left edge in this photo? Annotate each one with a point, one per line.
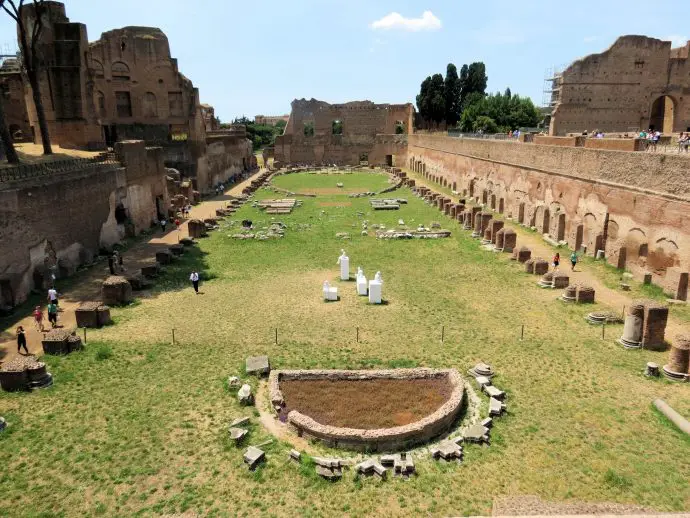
(65, 214)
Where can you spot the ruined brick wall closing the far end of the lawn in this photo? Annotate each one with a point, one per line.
(361, 121)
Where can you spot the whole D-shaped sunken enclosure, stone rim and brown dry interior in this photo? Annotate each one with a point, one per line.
(443, 388)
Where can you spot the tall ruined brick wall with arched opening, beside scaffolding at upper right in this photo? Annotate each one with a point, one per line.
(616, 90)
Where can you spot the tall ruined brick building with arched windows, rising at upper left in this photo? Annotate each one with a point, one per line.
(121, 87)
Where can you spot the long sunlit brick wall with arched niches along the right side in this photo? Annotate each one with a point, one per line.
(633, 205)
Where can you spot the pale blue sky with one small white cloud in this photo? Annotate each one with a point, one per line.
(248, 57)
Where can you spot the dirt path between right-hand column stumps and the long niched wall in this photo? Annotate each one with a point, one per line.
(615, 300)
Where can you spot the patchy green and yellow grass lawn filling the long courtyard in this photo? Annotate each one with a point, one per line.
(135, 425)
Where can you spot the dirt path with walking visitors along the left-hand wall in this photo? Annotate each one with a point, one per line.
(89, 289)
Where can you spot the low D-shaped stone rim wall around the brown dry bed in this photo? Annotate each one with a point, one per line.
(383, 439)
